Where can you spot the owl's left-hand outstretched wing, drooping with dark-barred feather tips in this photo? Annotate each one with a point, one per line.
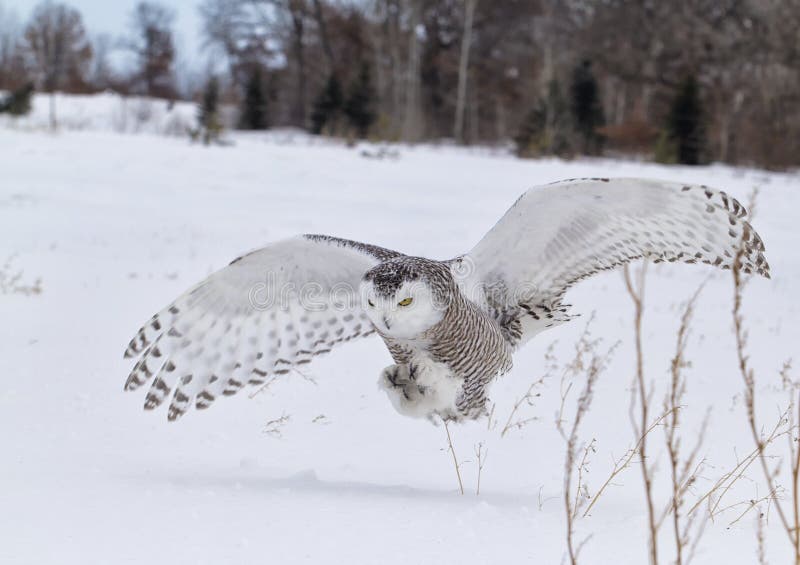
(266, 313)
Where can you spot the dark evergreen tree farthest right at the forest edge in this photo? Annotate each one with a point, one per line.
(685, 124)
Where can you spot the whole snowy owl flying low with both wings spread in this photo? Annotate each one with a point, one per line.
(451, 326)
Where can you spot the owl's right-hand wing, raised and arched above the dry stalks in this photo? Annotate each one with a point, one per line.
(558, 234)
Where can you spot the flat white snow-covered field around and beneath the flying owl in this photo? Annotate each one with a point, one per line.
(117, 225)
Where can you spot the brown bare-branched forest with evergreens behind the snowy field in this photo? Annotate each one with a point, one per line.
(685, 81)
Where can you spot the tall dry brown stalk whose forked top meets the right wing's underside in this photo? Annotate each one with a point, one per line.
(636, 292)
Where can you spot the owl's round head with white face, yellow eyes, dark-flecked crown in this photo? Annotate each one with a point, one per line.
(406, 296)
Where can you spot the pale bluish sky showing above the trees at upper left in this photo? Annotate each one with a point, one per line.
(113, 17)
